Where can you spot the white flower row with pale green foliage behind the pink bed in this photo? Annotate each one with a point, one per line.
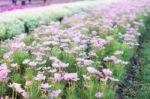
(20, 21)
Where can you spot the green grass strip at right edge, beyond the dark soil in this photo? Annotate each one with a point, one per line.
(144, 91)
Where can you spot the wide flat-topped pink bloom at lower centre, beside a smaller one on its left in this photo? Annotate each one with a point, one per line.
(71, 77)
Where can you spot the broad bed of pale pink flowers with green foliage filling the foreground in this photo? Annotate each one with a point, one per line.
(81, 57)
